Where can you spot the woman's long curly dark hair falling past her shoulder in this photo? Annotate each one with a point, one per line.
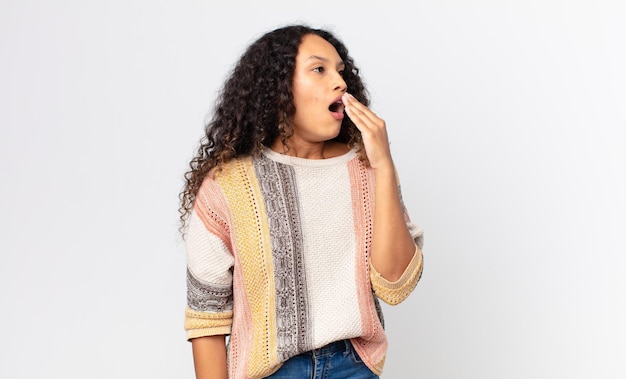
(255, 107)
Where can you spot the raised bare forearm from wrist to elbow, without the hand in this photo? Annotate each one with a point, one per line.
(392, 245)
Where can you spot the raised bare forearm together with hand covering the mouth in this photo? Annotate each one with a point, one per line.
(393, 247)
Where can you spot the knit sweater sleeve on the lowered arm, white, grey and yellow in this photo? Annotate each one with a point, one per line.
(209, 271)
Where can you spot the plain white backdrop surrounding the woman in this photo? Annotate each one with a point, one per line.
(508, 127)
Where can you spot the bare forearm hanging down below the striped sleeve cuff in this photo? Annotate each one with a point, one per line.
(209, 357)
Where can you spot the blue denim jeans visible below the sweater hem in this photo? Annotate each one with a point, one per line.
(337, 360)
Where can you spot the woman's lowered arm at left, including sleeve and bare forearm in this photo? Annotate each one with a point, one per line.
(208, 315)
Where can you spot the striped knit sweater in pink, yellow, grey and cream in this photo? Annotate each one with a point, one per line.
(278, 258)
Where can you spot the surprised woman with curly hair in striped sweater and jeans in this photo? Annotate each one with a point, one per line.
(293, 219)
